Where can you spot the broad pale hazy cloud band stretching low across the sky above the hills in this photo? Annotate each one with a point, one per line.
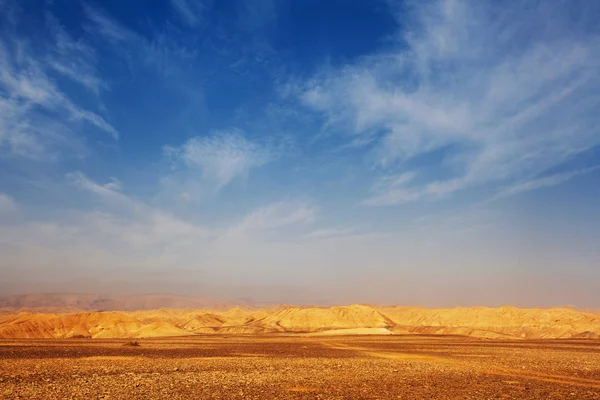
(108, 245)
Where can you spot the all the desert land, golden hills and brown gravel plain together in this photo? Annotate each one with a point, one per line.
(346, 352)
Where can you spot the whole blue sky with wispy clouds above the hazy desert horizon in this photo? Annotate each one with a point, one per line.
(440, 153)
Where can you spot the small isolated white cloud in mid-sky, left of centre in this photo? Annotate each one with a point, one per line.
(222, 156)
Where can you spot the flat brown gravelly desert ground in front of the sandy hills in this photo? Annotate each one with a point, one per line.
(300, 367)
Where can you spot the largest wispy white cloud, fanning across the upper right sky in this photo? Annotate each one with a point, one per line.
(510, 97)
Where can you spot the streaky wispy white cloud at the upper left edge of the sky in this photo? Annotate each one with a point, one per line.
(37, 116)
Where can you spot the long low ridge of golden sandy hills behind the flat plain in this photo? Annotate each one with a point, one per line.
(502, 322)
